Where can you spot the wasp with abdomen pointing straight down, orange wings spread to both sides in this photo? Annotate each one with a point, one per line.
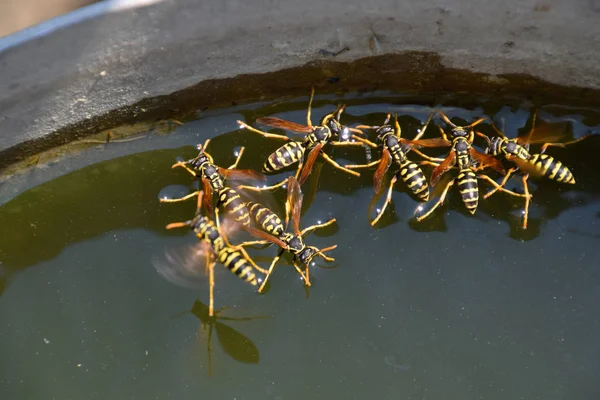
(468, 161)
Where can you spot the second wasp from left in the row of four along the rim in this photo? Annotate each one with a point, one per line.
(395, 149)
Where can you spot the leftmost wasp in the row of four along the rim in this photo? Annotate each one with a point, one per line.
(315, 139)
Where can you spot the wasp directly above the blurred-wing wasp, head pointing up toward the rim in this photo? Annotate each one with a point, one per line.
(213, 180)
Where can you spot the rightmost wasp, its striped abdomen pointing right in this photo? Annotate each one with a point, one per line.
(538, 164)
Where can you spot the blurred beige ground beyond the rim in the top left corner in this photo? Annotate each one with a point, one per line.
(20, 14)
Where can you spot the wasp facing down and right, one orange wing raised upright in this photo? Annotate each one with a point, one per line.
(275, 232)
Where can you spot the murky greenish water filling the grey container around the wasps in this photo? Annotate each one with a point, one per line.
(455, 307)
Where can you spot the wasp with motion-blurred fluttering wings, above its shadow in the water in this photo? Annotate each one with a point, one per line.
(181, 267)
